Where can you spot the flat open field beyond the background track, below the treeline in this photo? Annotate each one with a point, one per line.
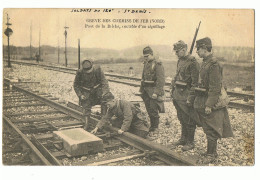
(236, 76)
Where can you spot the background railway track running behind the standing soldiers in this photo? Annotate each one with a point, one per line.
(238, 100)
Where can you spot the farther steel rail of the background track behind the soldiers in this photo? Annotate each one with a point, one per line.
(231, 93)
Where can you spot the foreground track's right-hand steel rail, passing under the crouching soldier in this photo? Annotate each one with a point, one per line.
(162, 151)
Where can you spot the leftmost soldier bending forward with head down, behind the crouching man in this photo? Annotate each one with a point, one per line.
(92, 88)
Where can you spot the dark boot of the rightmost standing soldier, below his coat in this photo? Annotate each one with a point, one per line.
(212, 152)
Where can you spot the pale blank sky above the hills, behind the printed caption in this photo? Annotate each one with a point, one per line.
(224, 27)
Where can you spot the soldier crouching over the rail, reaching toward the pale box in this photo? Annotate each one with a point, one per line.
(128, 117)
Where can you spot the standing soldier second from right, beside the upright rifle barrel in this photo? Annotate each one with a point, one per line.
(183, 84)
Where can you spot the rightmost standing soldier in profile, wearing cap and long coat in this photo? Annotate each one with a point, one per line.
(215, 121)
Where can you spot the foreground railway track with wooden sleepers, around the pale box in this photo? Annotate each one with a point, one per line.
(33, 118)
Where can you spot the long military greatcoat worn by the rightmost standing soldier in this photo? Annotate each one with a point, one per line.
(211, 80)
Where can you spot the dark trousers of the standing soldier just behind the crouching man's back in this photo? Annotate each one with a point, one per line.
(152, 110)
